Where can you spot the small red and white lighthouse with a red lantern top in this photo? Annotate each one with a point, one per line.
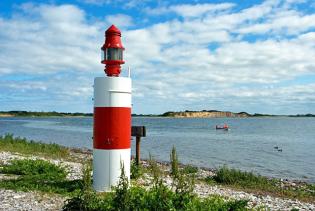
(112, 116)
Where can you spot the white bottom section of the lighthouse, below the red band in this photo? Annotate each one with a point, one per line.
(107, 168)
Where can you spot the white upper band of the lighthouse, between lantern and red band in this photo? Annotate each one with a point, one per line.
(112, 92)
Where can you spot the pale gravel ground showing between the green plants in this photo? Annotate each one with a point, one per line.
(11, 200)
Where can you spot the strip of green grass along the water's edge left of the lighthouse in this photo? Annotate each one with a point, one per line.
(21, 145)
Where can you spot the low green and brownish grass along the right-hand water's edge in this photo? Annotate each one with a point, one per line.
(250, 182)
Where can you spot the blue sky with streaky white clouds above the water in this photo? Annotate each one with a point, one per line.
(252, 56)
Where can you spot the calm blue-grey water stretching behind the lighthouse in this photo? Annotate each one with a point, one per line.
(249, 145)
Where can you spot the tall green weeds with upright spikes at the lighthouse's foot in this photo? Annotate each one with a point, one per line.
(157, 197)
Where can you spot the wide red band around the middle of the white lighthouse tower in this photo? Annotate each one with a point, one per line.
(112, 128)
